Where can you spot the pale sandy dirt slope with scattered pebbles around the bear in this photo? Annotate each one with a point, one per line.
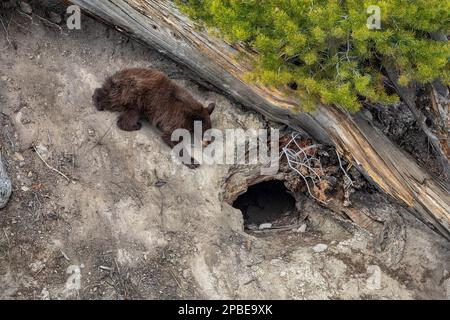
(128, 223)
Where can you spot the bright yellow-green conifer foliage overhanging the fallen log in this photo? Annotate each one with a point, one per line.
(326, 48)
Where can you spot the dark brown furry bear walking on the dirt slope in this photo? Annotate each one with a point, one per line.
(146, 93)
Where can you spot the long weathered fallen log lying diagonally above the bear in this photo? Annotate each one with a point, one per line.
(160, 25)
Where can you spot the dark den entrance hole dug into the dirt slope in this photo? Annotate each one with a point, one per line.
(264, 204)
